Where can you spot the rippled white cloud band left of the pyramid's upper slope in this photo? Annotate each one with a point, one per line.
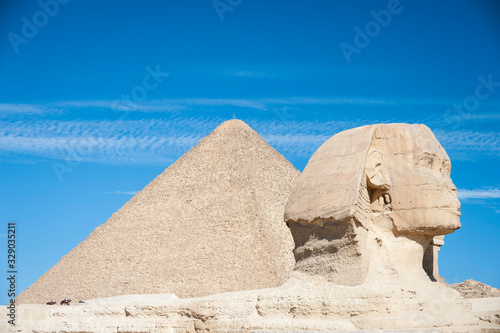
(109, 142)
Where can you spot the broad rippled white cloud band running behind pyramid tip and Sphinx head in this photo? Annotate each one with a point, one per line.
(162, 141)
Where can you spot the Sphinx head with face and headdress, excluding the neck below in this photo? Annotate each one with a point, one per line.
(399, 169)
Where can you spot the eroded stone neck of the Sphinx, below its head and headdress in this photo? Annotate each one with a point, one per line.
(350, 253)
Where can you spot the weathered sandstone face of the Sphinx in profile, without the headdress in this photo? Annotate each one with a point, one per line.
(424, 199)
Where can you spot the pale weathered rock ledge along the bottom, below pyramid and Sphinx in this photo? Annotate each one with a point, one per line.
(300, 306)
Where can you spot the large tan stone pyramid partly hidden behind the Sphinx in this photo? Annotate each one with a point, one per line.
(212, 222)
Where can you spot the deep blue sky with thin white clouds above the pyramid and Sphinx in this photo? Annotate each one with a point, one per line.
(97, 99)
